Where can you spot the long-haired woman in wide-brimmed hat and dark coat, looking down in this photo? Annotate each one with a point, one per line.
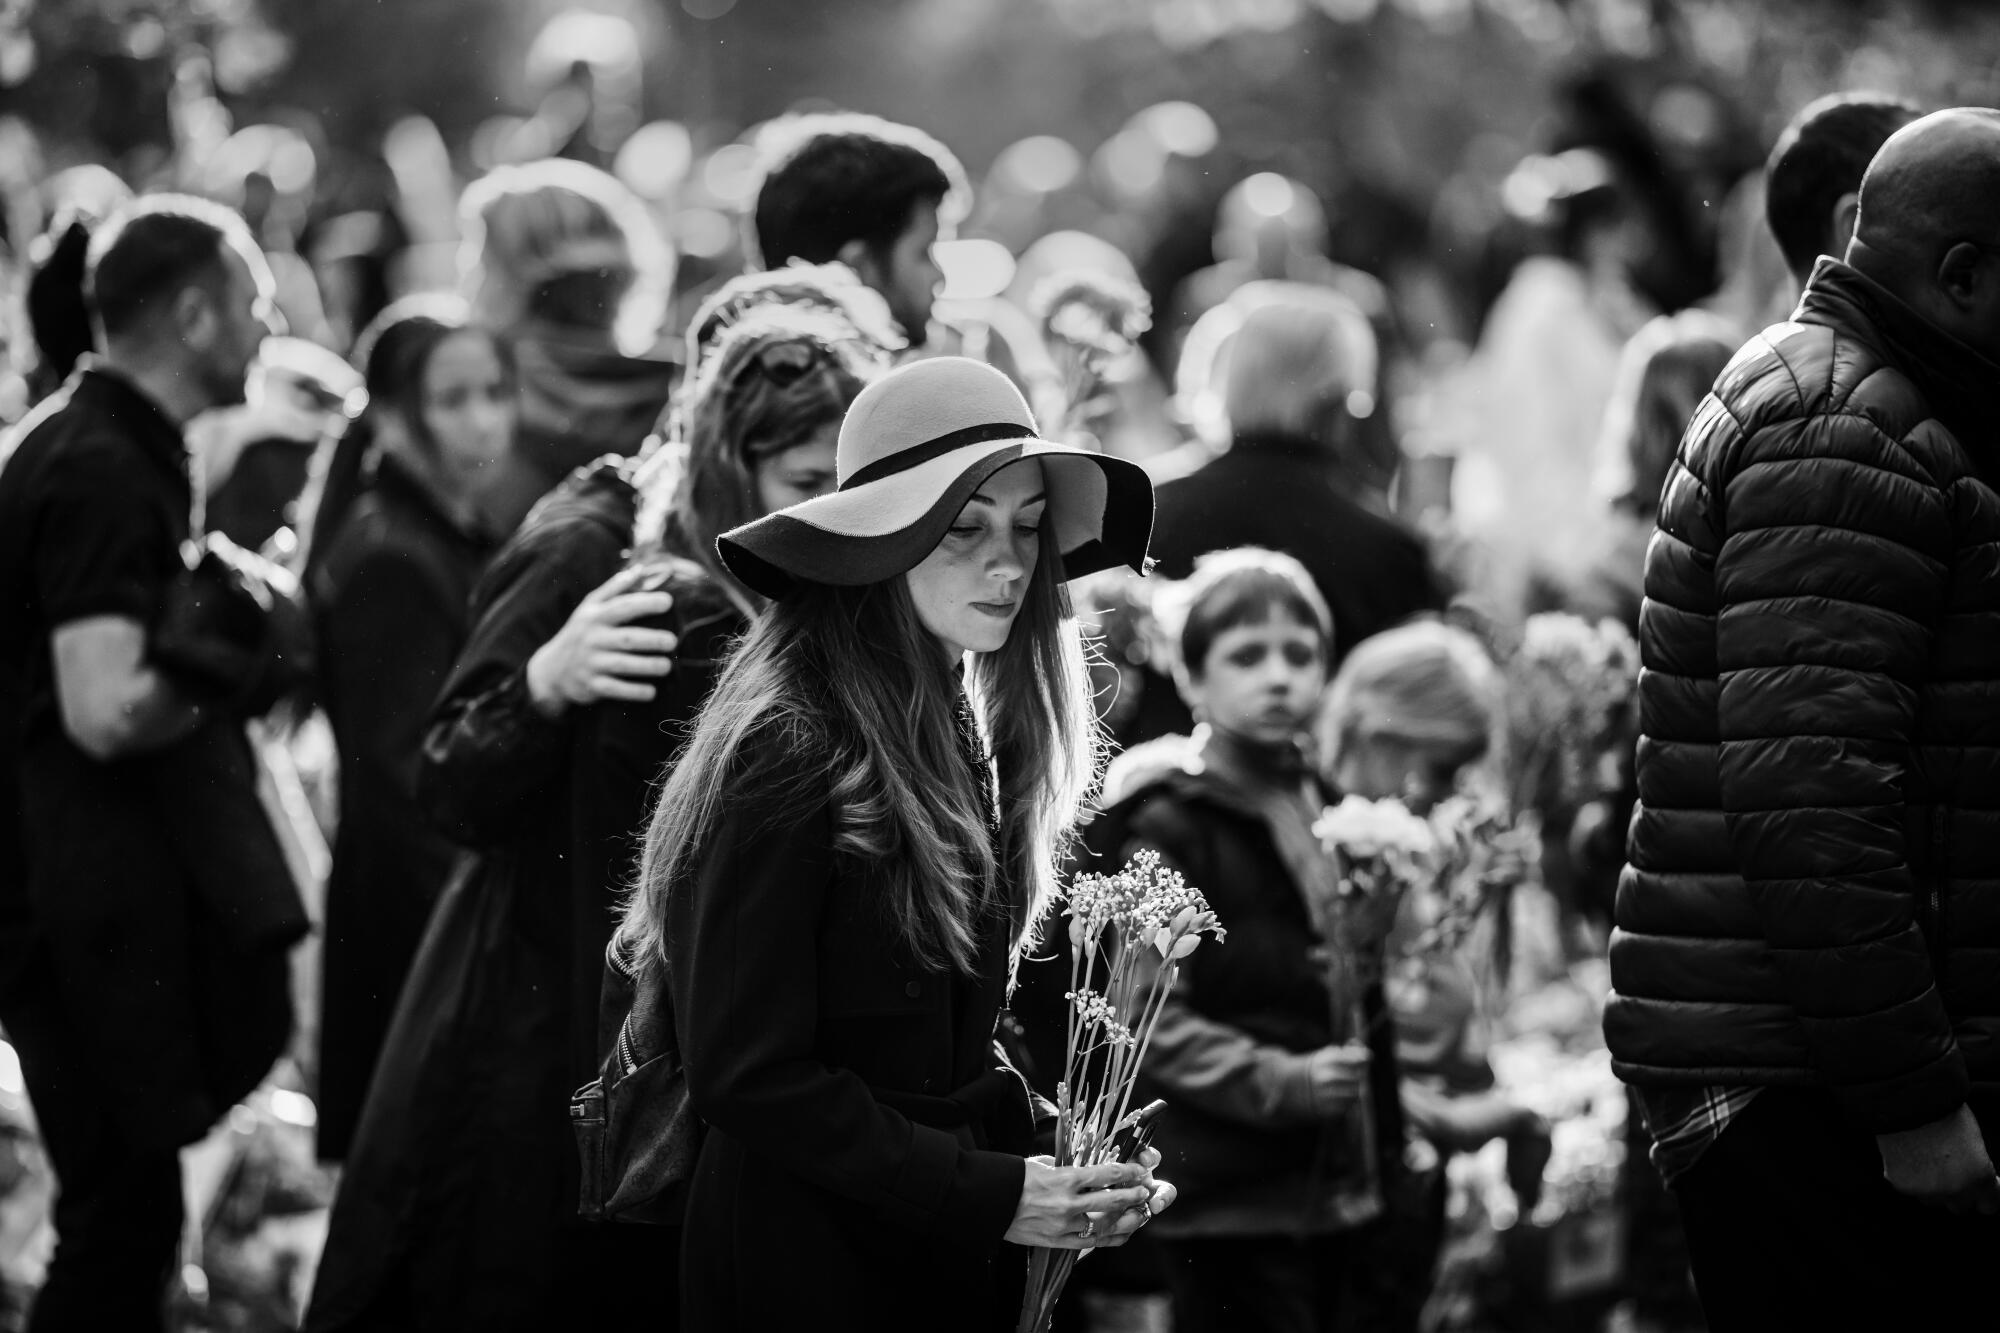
(859, 836)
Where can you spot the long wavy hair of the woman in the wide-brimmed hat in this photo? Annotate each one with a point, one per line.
(849, 688)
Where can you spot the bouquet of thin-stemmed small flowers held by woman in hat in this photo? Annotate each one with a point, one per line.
(1129, 936)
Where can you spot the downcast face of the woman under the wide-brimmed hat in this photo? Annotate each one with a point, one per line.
(973, 585)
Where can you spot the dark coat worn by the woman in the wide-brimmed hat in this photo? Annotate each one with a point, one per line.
(865, 1140)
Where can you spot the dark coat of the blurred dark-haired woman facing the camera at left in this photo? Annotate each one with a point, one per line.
(391, 605)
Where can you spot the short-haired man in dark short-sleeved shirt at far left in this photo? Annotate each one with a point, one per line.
(135, 1018)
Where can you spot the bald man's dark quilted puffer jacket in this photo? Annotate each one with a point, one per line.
(1815, 864)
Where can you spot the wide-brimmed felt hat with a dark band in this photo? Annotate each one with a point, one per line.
(913, 449)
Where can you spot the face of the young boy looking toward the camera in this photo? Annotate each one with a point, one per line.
(1261, 682)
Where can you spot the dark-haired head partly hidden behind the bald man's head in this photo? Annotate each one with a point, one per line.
(1815, 171)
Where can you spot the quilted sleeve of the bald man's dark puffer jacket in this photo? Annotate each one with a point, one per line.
(1831, 575)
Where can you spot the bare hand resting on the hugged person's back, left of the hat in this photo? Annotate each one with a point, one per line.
(599, 653)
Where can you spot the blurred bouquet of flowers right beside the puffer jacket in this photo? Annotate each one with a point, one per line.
(1569, 690)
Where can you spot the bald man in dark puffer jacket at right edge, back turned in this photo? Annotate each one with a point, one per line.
(1807, 964)
